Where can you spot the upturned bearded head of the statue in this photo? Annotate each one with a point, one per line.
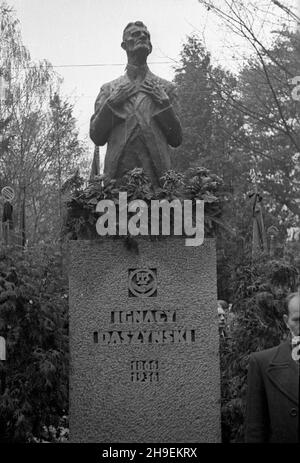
(136, 40)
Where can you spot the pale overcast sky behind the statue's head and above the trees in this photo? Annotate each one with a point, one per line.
(74, 35)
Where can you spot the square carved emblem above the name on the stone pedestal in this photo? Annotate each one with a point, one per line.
(142, 282)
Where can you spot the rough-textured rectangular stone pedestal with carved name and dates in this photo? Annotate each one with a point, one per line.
(144, 342)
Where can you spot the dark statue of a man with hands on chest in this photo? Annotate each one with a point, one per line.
(135, 114)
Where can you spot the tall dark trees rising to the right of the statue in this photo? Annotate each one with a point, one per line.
(245, 129)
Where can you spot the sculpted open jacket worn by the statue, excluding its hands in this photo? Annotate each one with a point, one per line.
(159, 128)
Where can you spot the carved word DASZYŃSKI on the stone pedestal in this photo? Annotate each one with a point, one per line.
(176, 336)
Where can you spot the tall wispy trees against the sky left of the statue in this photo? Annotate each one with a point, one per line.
(39, 142)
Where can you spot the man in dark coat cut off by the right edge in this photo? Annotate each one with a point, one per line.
(273, 386)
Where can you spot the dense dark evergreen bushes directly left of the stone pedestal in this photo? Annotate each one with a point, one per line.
(34, 322)
